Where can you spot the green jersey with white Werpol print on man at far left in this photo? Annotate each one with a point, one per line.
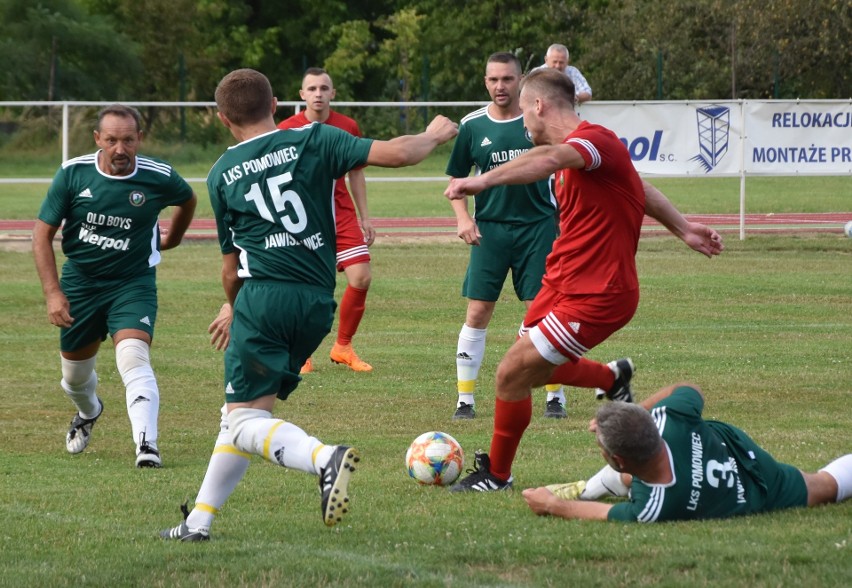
(111, 229)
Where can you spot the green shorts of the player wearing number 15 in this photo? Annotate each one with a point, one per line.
(277, 326)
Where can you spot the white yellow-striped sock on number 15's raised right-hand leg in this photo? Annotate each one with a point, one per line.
(255, 431)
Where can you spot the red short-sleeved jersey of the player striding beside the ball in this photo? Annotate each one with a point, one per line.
(600, 215)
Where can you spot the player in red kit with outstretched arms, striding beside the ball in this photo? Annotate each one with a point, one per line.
(590, 288)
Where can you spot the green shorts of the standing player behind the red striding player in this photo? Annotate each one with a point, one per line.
(522, 249)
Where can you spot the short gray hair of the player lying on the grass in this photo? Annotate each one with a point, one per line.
(629, 431)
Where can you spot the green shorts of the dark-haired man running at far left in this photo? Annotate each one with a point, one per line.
(103, 307)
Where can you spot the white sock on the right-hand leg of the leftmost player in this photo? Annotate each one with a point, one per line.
(132, 357)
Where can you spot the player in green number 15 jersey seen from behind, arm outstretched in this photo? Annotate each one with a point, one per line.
(272, 195)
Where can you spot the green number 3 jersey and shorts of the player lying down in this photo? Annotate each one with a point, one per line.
(719, 471)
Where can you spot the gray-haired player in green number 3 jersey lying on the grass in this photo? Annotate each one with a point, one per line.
(674, 465)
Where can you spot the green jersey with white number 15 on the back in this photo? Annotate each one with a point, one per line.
(273, 197)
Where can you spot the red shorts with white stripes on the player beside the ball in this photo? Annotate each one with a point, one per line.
(564, 327)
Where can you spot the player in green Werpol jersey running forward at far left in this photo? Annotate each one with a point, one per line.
(108, 204)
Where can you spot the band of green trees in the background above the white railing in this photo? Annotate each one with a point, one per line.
(168, 50)
